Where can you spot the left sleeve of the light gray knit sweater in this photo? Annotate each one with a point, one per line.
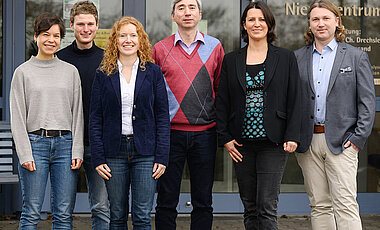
(17, 102)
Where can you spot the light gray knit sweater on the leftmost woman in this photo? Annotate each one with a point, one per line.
(45, 94)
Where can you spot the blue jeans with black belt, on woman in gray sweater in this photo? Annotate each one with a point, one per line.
(51, 155)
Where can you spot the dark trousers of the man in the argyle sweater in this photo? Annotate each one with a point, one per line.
(199, 149)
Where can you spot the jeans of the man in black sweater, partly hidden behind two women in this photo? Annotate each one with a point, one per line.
(97, 194)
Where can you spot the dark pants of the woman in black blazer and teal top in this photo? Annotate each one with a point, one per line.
(259, 177)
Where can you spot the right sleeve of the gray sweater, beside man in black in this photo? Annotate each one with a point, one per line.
(77, 125)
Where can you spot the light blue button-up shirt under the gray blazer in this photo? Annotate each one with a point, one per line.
(322, 66)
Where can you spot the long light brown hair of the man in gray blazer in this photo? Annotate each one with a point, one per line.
(340, 32)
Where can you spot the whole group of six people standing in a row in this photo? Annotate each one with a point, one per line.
(134, 123)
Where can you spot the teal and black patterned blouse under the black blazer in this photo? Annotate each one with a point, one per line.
(253, 127)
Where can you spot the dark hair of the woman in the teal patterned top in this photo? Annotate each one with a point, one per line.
(268, 16)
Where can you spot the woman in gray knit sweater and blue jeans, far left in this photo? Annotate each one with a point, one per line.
(47, 127)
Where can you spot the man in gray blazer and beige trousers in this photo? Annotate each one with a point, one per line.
(337, 116)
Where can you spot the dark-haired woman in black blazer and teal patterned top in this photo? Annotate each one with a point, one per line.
(258, 114)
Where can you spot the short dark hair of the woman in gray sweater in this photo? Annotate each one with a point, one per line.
(44, 21)
